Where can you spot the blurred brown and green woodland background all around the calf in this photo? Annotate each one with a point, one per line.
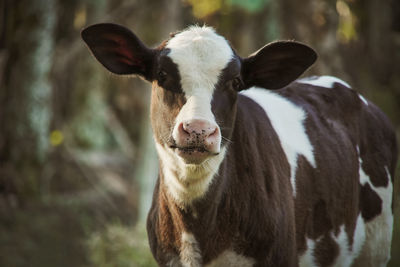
(77, 165)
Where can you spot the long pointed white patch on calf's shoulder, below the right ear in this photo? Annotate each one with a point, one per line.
(288, 122)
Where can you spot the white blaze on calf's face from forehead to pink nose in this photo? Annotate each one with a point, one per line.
(200, 55)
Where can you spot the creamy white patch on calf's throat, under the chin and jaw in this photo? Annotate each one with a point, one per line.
(187, 182)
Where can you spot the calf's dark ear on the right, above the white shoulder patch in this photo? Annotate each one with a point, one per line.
(277, 64)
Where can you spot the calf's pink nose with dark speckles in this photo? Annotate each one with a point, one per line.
(199, 133)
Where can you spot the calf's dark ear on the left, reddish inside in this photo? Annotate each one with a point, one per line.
(119, 50)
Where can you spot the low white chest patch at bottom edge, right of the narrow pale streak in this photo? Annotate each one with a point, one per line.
(231, 259)
